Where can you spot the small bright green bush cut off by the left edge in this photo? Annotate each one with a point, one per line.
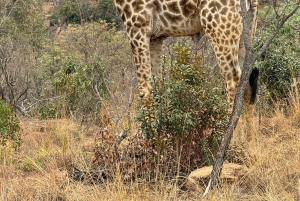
(9, 125)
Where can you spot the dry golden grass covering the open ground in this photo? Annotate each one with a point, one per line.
(39, 169)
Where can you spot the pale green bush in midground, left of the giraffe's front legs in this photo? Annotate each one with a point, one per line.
(79, 86)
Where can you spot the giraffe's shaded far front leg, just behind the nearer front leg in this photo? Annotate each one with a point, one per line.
(155, 52)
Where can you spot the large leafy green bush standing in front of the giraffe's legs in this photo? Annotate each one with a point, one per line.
(185, 111)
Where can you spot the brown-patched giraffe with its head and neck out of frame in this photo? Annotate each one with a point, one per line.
(149, 22)
